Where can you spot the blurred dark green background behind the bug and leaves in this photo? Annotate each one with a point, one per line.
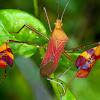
(81, 22)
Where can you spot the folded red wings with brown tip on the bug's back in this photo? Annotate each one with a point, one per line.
(52, 56)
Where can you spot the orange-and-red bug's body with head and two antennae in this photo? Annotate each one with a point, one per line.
(55, 47)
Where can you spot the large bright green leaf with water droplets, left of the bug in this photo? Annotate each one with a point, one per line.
(11, 21)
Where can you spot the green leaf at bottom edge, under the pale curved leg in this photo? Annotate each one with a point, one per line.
(60, 89)
